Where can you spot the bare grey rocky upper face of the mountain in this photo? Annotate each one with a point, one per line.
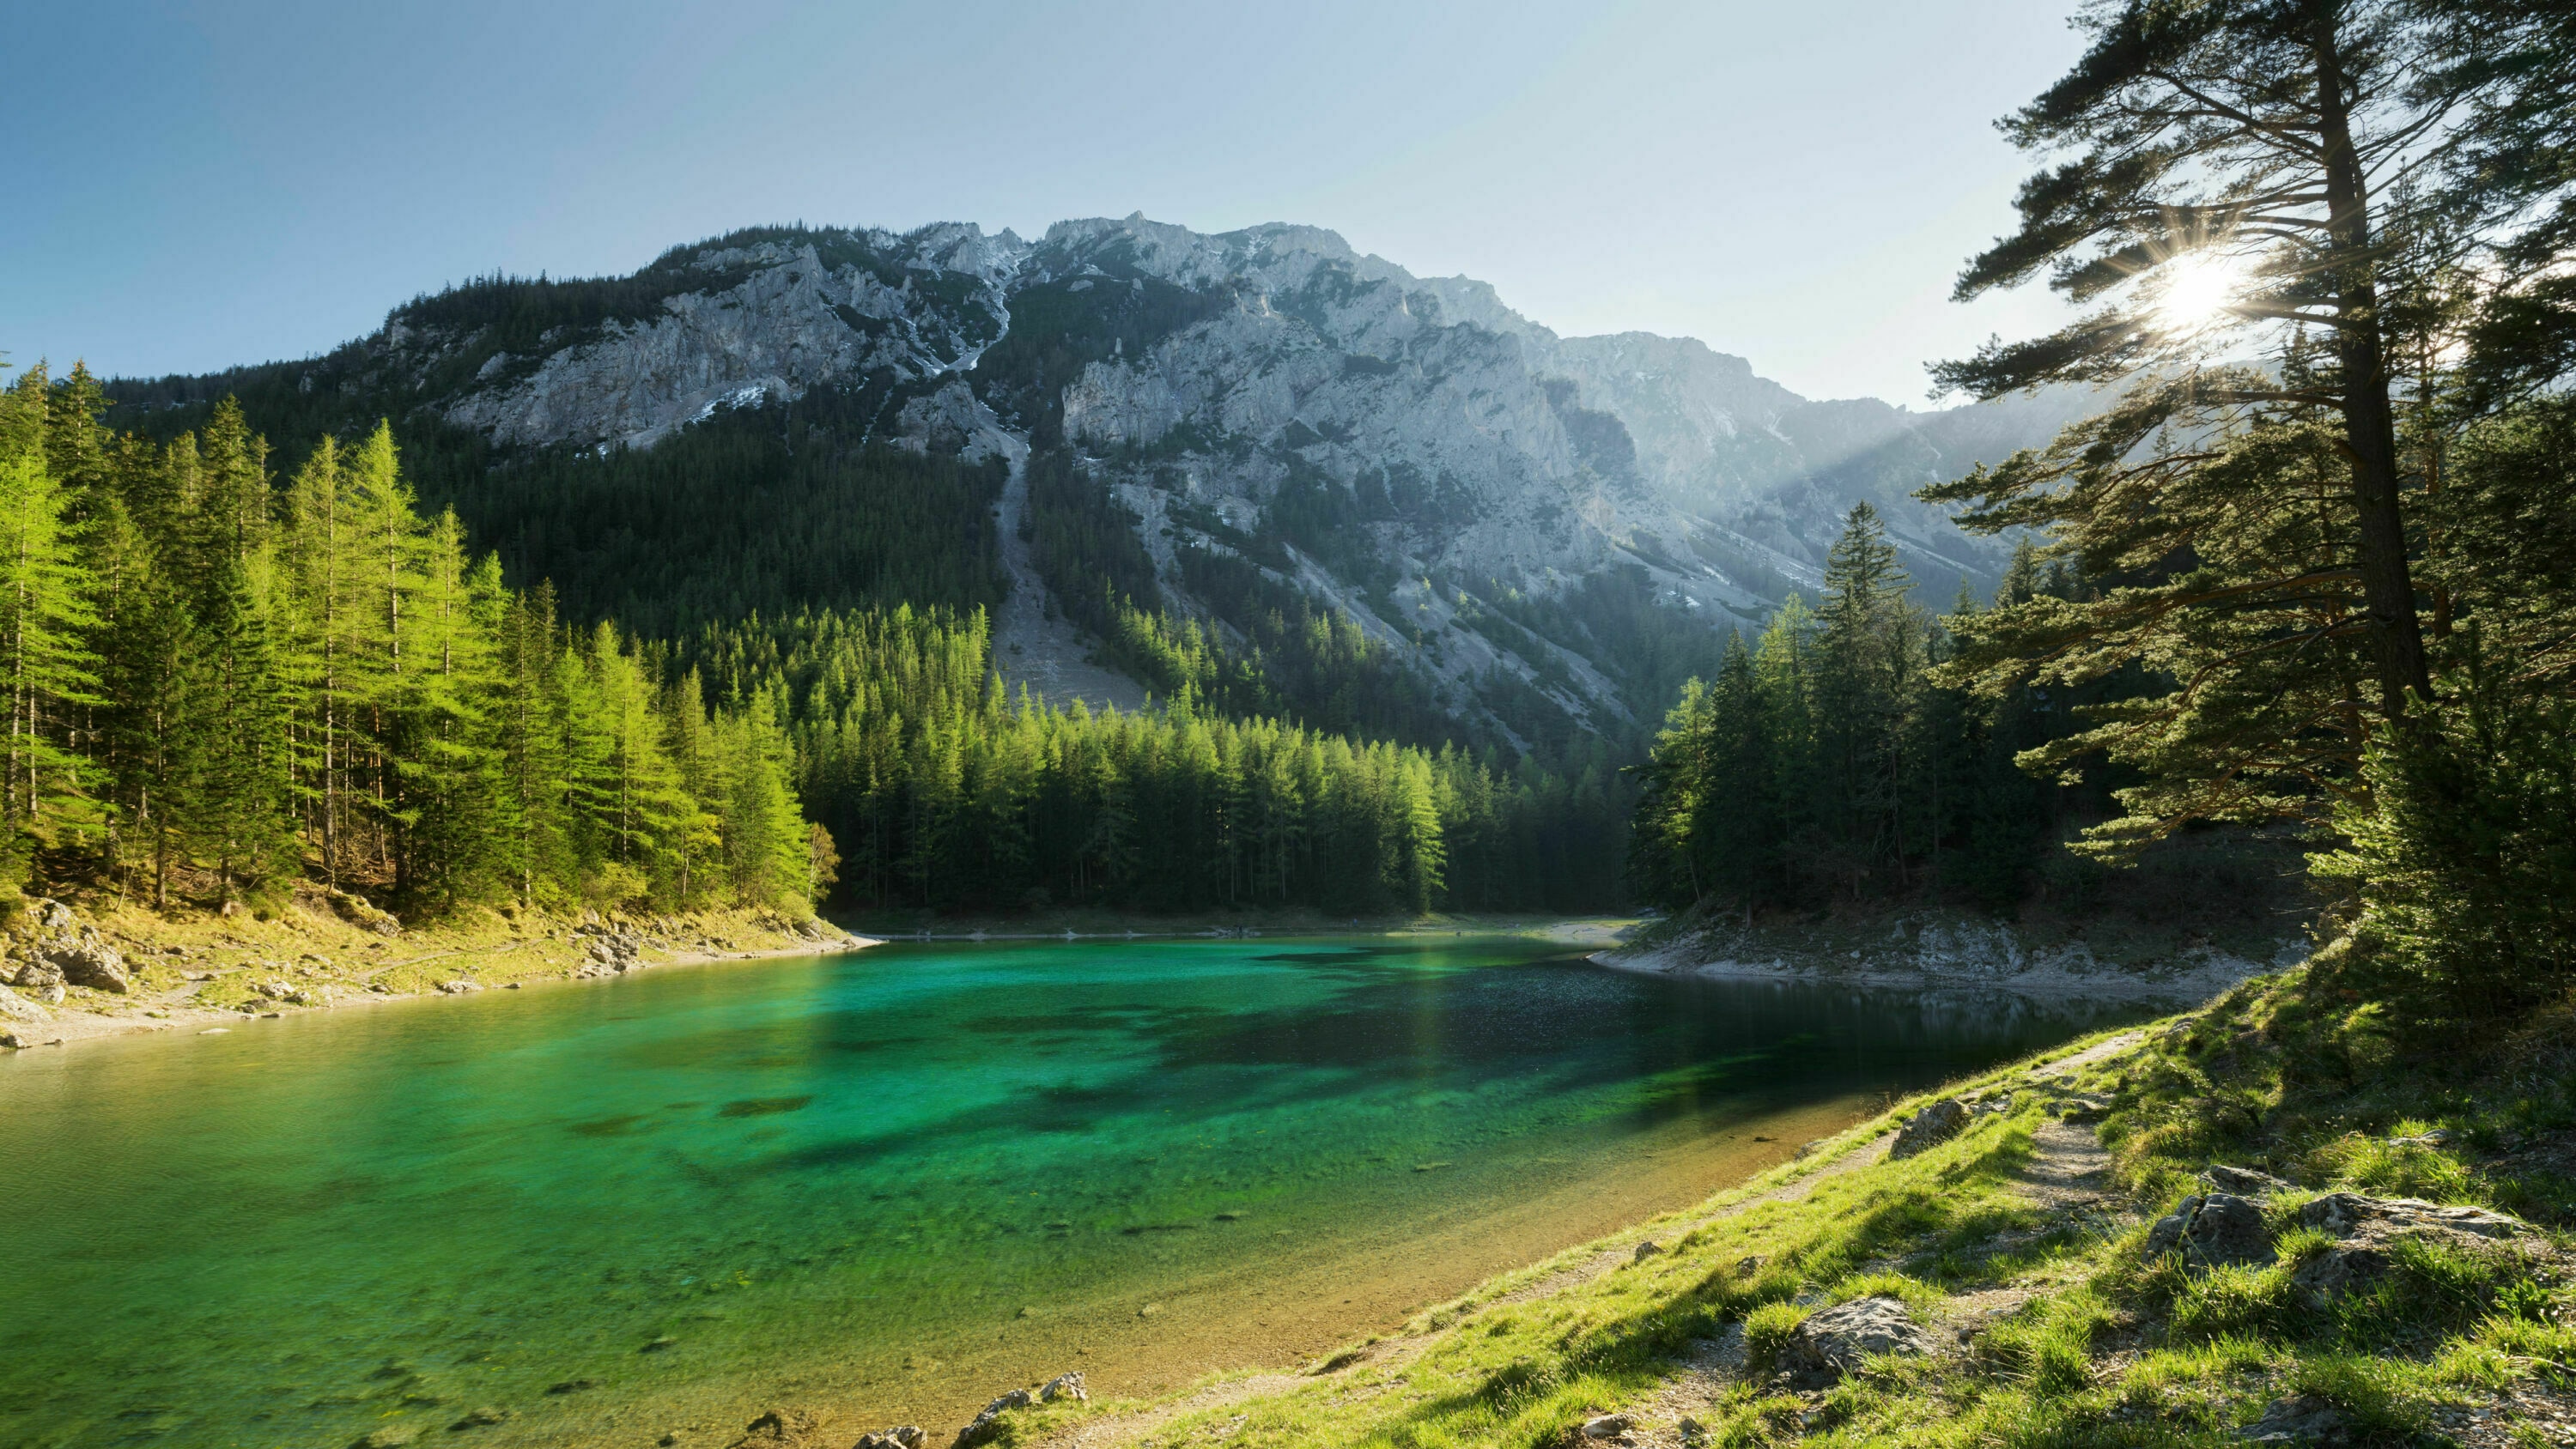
(1408, 449)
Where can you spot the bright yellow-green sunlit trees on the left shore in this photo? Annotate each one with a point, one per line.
(225, 686)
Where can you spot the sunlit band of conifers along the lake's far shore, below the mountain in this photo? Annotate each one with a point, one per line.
(944, 794)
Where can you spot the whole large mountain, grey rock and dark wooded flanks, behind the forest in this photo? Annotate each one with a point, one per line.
(1542, 534)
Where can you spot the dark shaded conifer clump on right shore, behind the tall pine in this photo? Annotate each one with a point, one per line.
(1833, 766)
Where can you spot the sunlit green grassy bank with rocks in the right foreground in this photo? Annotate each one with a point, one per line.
(2021, 1252)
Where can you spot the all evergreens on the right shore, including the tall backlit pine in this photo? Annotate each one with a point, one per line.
(2312, 568)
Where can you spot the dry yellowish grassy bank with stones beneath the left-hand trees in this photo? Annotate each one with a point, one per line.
(192, 969)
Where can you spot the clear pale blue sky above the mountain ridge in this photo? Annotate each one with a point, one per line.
(192, 187)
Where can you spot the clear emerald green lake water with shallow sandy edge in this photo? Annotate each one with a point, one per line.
(887, 1183)
